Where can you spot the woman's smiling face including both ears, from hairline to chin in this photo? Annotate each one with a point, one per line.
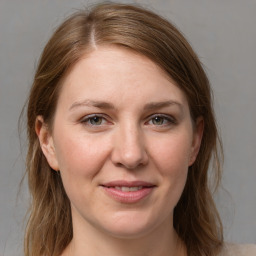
(122, 140)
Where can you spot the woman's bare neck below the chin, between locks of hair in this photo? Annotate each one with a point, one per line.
(89, 241)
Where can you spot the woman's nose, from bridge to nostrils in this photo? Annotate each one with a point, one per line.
(129, 148)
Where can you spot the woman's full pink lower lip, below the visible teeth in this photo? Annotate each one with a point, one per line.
(129, 196)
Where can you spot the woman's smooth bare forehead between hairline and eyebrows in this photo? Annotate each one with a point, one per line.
(118, 74)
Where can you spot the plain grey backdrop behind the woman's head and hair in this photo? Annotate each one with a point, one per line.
(223, 34)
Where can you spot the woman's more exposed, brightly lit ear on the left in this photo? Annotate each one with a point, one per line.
(46, 142)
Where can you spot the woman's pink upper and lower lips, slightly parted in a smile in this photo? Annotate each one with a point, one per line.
(128, 197)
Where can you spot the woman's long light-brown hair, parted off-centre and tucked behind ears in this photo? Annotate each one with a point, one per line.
(196, 220)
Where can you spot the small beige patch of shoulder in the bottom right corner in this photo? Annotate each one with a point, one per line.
(239, 250)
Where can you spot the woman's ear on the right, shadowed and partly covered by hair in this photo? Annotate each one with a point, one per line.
(197, 138)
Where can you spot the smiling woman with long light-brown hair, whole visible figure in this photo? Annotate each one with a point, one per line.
(121, 133)
